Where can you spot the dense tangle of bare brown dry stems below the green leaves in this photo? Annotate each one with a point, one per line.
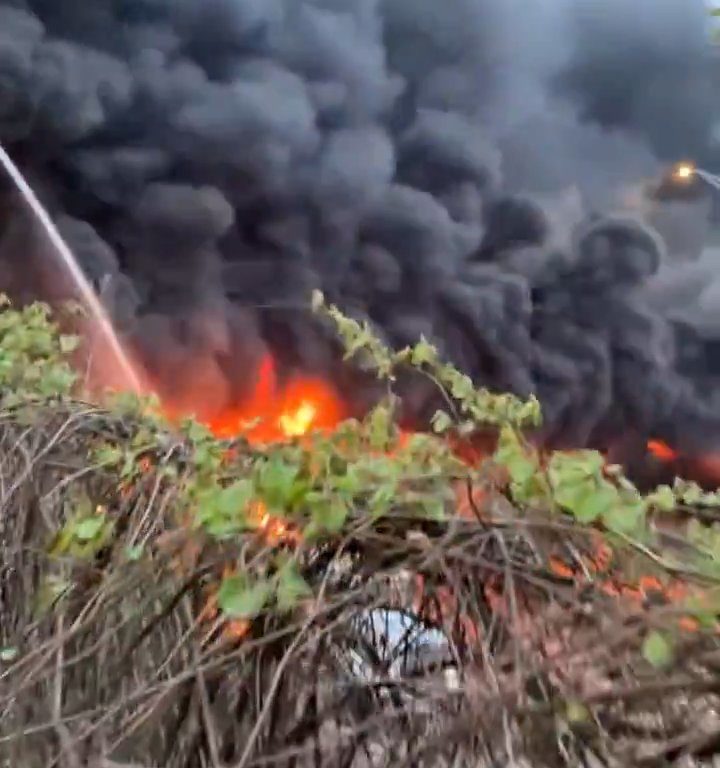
(426, 644)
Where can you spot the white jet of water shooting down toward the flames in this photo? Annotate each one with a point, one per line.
(99, 315)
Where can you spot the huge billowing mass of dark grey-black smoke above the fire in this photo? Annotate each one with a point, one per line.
(211, 162)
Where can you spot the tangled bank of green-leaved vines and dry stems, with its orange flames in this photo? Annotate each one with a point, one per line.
(325, 591)
